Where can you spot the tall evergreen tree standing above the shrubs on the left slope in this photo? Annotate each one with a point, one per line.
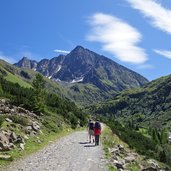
(38, 98)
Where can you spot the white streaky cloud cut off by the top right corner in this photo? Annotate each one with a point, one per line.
(159, 16)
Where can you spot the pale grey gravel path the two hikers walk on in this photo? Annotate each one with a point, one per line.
(70, 153)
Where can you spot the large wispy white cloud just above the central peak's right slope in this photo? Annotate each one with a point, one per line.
(117, 37)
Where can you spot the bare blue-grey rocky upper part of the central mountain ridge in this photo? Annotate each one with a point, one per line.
(86, 66)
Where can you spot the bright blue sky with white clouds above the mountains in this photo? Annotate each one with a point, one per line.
(133, 33)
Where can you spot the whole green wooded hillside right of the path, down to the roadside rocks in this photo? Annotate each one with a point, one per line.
(142, 118)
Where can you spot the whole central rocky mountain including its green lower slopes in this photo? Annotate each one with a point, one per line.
(88, 75)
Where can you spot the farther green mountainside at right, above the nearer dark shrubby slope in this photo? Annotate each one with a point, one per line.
(145, 106)
